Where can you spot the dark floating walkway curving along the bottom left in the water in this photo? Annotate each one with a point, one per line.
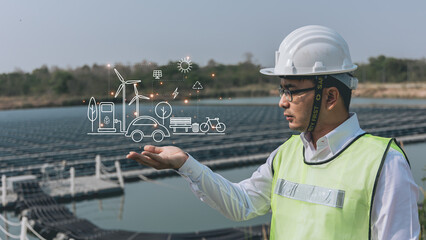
(52, 220)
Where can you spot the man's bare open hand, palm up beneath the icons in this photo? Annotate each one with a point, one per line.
(168, 157)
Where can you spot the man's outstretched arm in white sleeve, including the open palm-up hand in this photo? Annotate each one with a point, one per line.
(237, 201)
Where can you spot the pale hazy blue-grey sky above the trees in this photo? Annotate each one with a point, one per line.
(69, 34)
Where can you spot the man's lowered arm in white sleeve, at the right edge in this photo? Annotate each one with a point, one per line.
(395, 213)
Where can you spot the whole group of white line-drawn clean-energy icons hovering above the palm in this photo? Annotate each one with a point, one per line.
(104, 114)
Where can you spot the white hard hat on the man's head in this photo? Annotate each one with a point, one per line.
(314, 50)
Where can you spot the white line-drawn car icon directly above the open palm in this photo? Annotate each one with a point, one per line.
(146, 126)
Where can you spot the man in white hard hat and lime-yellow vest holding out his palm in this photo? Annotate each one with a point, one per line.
(333, 181)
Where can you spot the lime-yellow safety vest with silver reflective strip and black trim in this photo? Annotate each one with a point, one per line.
(329, 200)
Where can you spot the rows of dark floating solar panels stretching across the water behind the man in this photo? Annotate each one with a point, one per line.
(58, 136)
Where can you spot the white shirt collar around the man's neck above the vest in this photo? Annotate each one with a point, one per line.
(336, 139)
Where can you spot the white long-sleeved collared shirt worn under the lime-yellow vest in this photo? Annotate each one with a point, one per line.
(394, 212)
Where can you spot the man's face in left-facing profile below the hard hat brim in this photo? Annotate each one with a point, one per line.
(297, 112)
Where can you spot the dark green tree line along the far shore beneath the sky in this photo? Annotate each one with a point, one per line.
(100, 80)
